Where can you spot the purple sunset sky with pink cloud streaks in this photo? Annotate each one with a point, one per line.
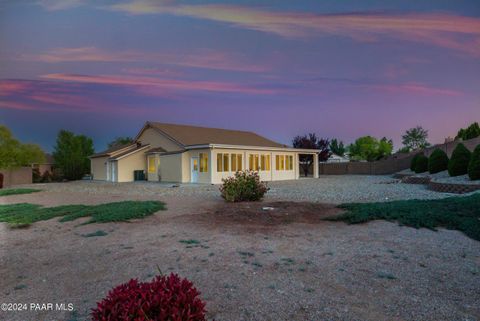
(338, 68)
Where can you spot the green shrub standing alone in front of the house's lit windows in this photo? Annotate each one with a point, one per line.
(244, 186)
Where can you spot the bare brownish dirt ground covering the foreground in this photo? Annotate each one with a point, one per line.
(285, 263)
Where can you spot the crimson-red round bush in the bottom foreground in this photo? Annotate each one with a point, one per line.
(164, 298)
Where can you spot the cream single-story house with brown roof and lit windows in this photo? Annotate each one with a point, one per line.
(181, 153)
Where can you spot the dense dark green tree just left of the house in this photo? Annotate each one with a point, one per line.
(71, 154)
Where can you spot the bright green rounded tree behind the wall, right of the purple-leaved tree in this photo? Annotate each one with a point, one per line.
(370, 149)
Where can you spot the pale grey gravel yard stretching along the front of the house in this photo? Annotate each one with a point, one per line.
(327, 189)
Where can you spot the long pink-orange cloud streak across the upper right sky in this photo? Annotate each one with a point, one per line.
(443, 30)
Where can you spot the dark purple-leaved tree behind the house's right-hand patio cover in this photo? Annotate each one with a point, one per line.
(311, 141)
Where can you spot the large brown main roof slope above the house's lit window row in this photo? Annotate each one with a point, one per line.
(193, 135)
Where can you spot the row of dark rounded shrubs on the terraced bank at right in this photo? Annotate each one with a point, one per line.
(462, 162)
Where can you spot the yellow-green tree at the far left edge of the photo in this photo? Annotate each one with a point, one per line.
(15, 154)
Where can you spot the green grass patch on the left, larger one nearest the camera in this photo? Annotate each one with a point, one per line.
(24, 214)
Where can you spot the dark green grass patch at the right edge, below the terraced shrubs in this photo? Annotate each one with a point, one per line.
(454, 213)
